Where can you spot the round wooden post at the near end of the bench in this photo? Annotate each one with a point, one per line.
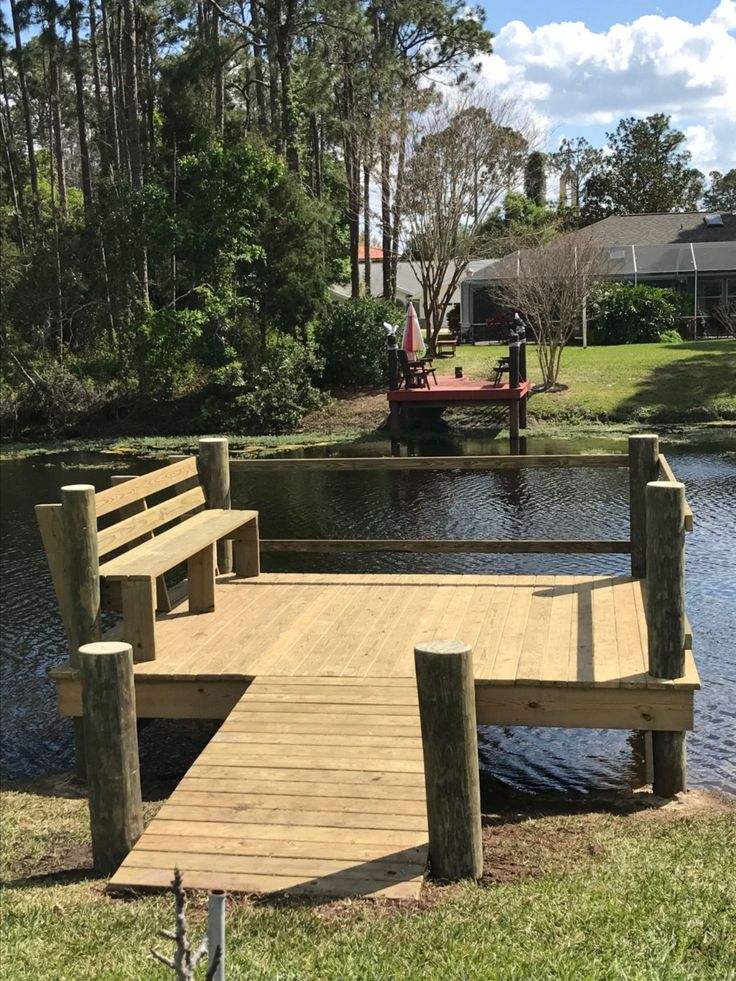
(82, 570)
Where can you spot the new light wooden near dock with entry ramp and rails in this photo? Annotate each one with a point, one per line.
(315, 782)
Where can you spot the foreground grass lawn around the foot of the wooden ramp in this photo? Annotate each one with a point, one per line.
(574, 891)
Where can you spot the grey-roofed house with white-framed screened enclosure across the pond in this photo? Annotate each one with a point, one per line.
(693, 252)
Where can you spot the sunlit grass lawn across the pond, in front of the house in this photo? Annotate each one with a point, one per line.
(689, 382)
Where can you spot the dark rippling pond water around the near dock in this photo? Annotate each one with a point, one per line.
(452, 504)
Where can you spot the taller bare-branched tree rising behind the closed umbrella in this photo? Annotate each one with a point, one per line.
(462, 157)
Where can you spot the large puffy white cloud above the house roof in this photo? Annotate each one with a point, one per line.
(577, 77)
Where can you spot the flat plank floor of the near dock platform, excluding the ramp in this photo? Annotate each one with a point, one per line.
(578, 631)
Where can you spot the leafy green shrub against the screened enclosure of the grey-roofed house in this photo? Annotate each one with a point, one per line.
(622, 313)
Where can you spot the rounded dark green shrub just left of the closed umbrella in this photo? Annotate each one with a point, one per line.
(352, 341)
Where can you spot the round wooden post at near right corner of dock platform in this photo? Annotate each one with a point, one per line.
(665, 601)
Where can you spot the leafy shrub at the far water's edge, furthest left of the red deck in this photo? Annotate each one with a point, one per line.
(276, 396)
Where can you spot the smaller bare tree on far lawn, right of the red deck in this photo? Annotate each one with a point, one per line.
(548, 286)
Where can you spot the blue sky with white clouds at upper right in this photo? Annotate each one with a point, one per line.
(579, 67)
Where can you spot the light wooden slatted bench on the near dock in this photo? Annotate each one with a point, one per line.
(144, 542)
